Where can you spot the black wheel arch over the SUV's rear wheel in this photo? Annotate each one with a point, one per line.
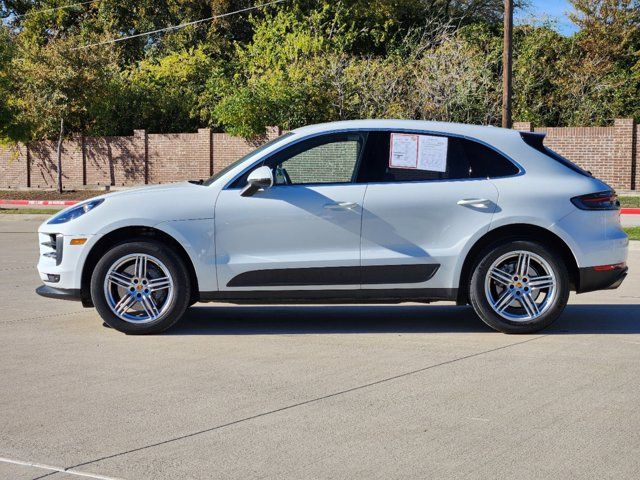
(518, 231)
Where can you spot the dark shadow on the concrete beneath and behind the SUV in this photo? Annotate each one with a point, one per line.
(342, 319)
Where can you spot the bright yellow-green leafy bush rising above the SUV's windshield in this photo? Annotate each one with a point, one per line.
(277, 79)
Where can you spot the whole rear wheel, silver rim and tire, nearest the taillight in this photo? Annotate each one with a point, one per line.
(519, 286)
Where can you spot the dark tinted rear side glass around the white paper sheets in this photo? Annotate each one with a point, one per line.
(466, 159)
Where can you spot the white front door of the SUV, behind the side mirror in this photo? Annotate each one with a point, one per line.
(302, 233)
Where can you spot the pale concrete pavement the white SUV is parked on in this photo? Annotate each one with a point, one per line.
(408, 391)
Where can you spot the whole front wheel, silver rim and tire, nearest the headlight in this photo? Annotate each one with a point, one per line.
(140, 287)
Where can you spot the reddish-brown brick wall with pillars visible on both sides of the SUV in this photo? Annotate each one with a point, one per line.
(609, 152)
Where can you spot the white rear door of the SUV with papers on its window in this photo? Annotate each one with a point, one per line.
(416, 221)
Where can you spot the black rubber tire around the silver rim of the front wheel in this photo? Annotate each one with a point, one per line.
(176, 269)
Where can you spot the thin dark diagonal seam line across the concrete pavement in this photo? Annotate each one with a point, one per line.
(306, 402)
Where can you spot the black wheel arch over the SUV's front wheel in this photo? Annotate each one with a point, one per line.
(129, 233)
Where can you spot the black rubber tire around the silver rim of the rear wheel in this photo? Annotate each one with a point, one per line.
(481, 303)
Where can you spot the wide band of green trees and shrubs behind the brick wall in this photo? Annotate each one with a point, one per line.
(304, 62)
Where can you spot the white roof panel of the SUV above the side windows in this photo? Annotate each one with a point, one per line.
(488, 134)
